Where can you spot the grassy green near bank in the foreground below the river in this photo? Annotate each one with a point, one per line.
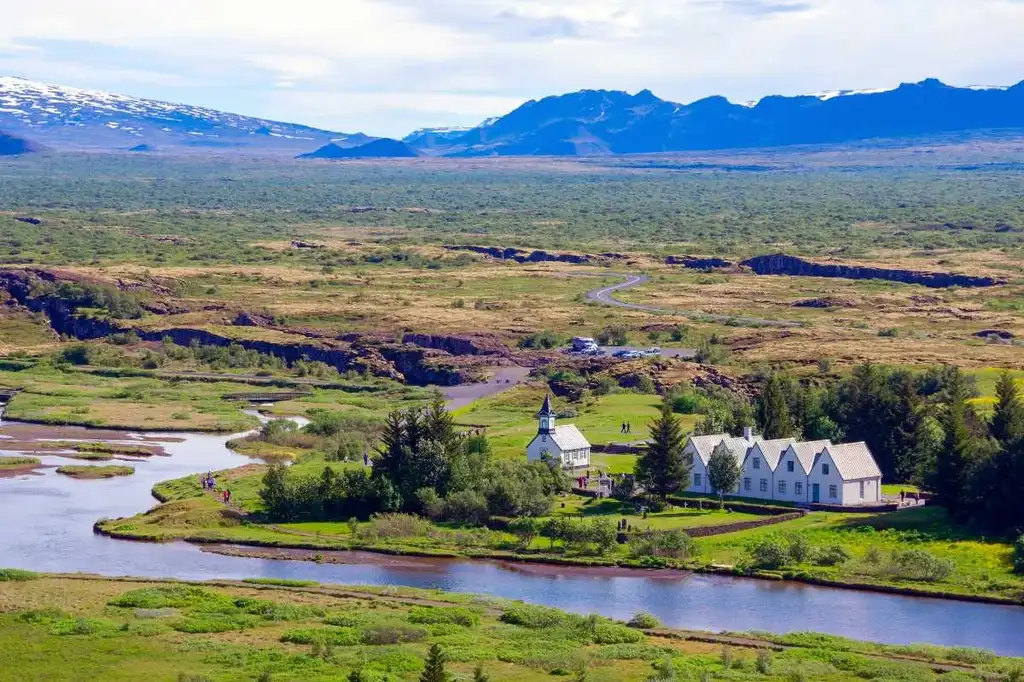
(70, 628)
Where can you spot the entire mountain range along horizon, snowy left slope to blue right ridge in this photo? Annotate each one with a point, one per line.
(585, 123)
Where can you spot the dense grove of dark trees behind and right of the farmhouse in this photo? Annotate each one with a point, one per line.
(922, 429)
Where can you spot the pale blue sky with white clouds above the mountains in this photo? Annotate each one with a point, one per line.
(389, 67)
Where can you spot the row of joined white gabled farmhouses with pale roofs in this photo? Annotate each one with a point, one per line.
(805, 474)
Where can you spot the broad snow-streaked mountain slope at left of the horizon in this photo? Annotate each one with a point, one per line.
(64, 117)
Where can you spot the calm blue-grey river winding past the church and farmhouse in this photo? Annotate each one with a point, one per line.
(48, 527)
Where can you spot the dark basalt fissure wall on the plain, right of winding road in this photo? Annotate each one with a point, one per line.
(794, 267)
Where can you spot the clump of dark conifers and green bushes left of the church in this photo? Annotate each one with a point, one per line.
(424, 465)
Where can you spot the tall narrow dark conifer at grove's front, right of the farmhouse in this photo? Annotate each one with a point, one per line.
(953, 467)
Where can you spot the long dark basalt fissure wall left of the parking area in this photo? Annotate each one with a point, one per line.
(422, 361)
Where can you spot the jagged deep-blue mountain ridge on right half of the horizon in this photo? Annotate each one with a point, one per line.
(595, 122)
